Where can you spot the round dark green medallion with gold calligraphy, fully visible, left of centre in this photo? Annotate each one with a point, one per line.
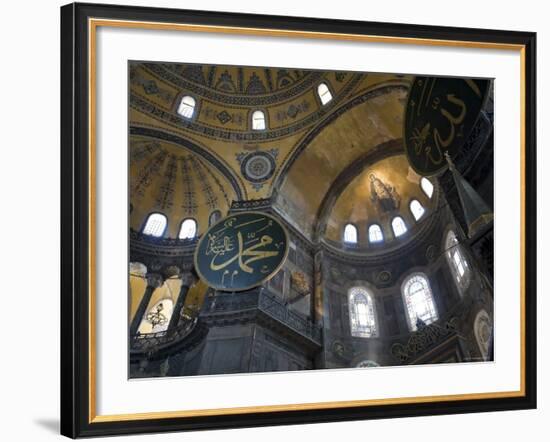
(241, 251)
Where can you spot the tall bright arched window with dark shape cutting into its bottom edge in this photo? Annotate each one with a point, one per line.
(418, 299)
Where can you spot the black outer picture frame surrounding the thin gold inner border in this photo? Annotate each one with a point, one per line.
(77, 419)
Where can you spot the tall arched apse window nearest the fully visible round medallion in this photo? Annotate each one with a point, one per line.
(362, 314)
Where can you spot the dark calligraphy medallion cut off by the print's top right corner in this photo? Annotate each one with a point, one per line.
(439, 115)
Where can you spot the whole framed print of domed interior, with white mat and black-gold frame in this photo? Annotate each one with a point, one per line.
(278, 220)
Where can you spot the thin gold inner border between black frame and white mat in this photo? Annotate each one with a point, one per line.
(93, 24)
